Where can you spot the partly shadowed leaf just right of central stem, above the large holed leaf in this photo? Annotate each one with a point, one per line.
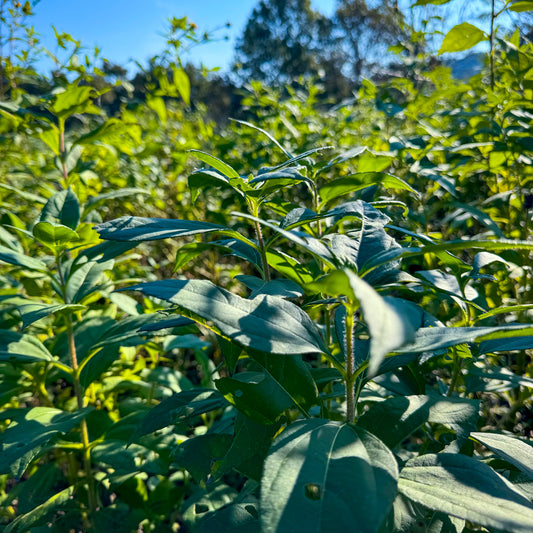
(396, 418)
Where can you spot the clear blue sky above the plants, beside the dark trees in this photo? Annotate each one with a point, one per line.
(131, 29)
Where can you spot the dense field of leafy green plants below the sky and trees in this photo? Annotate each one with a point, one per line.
(312, 315)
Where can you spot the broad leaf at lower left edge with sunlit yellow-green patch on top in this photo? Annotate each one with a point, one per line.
(26, 438)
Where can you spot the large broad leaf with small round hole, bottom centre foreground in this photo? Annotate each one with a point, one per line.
(323, 476)
